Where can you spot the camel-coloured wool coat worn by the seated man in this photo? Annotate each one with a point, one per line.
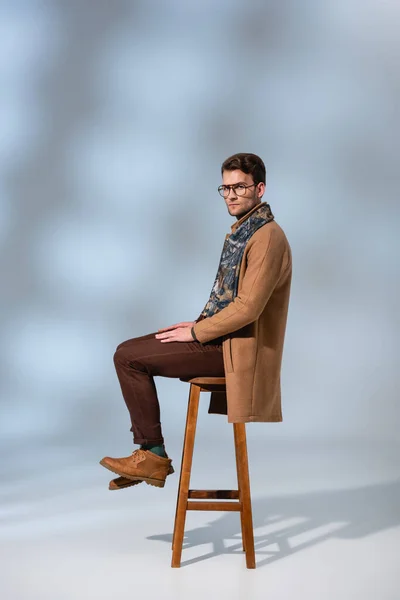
(253, 329)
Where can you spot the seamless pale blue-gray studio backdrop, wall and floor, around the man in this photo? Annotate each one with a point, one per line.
(115, 118)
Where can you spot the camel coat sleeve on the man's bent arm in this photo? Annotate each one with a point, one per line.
(265, 264)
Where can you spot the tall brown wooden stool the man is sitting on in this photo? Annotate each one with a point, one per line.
(242, 494)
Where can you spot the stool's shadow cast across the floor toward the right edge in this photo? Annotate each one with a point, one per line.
(293, 523)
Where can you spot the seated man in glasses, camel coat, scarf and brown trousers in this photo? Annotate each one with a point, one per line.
(239, 334)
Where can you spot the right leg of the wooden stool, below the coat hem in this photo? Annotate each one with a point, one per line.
(245, 497)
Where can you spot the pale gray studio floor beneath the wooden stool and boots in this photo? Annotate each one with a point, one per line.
(326, 522)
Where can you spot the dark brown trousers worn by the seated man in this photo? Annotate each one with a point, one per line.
(138, 360)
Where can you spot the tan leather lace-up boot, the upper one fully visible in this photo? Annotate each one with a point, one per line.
(141, 465)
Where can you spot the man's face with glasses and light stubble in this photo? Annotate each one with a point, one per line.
(239, 205)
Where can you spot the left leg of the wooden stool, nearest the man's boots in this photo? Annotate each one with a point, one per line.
(183, 491)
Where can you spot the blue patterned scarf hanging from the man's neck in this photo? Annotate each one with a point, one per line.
(225, 286)
